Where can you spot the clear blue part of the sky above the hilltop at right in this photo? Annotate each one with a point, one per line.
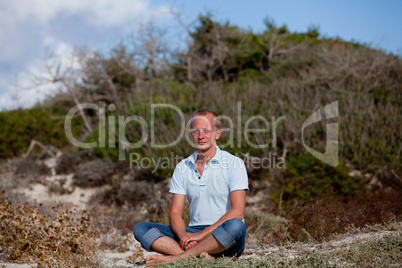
(378, 23)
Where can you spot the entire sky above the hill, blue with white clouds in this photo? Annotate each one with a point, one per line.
(30, 26)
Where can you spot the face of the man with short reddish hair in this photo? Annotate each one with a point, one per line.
(204, 133)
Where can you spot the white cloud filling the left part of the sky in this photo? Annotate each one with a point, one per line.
(28, 26)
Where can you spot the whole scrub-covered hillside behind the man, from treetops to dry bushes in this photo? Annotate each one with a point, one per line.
(275, 76)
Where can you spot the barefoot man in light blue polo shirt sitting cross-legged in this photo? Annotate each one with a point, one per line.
(215, 184)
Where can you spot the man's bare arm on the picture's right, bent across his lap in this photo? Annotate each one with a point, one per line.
(237, 201)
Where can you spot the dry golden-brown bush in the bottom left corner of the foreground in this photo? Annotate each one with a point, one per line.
(62, 239)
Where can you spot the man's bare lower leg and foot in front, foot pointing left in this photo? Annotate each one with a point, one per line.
(208, 245)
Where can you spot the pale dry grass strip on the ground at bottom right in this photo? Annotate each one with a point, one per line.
(381, 250)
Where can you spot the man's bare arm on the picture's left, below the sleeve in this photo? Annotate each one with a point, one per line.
(175, 215)
